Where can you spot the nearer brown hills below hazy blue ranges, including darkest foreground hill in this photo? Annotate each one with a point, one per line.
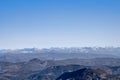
(36, 69)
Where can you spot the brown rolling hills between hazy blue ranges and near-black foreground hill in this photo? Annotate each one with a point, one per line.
(36, 69)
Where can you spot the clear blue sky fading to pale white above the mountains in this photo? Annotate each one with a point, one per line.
(59, 23)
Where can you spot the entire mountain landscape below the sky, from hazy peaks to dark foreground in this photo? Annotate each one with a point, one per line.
(60, 64)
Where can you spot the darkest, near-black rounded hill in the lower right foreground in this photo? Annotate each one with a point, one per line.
(87, 74)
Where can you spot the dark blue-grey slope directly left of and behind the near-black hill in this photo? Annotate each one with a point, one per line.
(53, 72)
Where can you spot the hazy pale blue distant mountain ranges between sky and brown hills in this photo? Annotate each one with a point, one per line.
(20, 55)
